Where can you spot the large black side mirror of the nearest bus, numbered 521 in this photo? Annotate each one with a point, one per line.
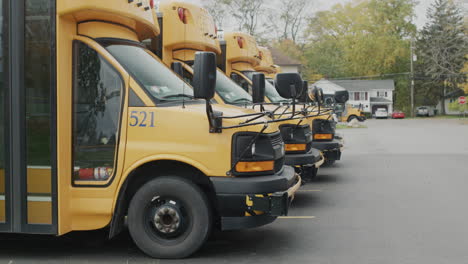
(204, 75)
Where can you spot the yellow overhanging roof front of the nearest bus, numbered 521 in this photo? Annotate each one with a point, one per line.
(141, 19)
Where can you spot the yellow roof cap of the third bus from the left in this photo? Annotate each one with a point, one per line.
(241, 47)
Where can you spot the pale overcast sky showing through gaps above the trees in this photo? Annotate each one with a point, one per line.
(420, 10)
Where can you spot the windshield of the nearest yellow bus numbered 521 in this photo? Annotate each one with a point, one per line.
(157, 79)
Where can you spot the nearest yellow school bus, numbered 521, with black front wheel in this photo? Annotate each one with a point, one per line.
(98, 131)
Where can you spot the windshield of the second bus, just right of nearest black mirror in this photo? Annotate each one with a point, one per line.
(229, 91)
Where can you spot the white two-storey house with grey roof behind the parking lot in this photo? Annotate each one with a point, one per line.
(371, 94)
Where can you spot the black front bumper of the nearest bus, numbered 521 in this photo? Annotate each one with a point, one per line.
(247, 202)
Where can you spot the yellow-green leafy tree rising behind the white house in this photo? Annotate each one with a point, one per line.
(361, 38)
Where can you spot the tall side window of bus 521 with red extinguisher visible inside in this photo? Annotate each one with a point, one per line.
(97, 103)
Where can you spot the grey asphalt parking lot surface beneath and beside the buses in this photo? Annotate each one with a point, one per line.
(398, 196)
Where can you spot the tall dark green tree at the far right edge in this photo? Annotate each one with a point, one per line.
(442, 49)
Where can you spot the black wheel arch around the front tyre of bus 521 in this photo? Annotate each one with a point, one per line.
(150, 171)
